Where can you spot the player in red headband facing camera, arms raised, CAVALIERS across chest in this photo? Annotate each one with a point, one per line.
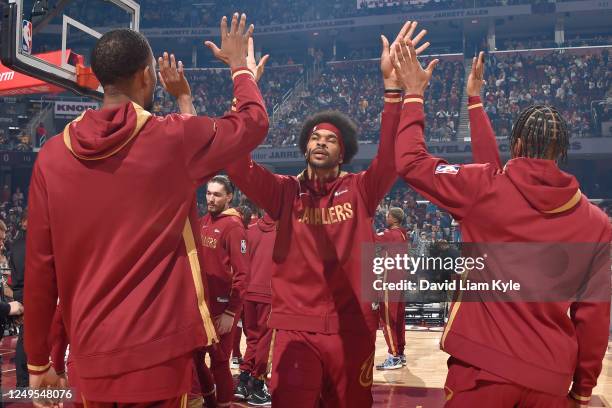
(325, 333)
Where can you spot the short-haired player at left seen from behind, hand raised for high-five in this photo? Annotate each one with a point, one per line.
(111, 218)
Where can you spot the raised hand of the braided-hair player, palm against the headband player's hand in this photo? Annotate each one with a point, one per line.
(413, 77)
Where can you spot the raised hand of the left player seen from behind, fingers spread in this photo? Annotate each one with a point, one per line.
(234, 44)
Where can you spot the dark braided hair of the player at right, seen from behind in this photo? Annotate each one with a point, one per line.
(542, 131)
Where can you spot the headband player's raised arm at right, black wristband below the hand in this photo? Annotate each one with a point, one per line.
(380, 176)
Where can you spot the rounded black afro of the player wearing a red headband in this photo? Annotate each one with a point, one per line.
(346, 125)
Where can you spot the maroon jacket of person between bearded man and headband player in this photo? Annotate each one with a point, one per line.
(261, 237)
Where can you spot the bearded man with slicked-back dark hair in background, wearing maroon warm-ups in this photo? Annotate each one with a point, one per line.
(226, 264)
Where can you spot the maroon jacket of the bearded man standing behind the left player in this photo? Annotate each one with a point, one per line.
(225, 260)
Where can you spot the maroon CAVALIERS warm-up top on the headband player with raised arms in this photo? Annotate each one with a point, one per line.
(316, 282)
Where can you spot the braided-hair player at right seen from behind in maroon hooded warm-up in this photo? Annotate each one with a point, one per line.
(508, 354)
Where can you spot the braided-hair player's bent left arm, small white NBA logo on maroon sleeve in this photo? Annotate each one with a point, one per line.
(452, 187)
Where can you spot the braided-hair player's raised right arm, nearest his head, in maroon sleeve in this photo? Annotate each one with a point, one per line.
(484, 144)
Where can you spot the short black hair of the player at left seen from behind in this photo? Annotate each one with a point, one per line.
(118, 54)
